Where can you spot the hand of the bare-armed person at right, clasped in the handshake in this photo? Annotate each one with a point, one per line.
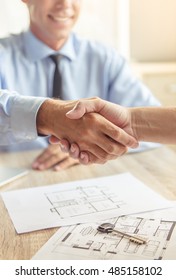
(116, 114)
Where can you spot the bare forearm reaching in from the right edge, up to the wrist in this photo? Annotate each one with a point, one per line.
(154, 124)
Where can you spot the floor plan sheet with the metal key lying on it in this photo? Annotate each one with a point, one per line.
(85, 242)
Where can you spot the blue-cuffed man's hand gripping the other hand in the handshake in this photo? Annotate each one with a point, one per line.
(94, 134)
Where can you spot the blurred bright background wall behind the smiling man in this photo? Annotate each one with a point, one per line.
(144, 31)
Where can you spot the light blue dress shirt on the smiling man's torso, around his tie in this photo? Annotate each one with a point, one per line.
(88, 69)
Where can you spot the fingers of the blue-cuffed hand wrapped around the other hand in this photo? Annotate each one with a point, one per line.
(103, 137)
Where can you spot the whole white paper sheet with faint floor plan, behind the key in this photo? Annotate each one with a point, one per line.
(80, 201)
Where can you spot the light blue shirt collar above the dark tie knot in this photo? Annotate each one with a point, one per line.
(36, 50)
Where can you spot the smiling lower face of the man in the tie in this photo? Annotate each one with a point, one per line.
(51, 21)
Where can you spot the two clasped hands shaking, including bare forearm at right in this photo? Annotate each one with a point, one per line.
(94, 130)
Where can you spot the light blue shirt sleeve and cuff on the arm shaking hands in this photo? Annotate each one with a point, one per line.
(18, 117)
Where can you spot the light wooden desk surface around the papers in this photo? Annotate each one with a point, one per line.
(156, 168)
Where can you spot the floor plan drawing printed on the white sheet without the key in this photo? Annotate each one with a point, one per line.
(94, 198)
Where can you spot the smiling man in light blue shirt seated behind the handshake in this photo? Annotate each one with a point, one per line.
(88, 68)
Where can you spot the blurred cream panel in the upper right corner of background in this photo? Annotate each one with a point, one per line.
(153, 30)
